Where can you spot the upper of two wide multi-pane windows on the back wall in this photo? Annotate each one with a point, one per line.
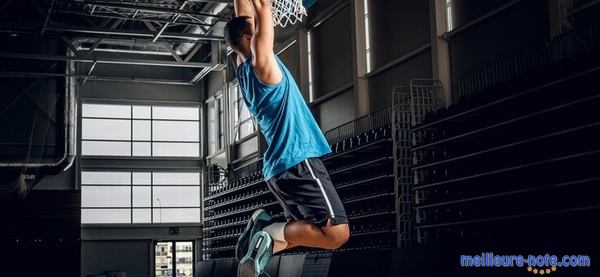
(141, 131)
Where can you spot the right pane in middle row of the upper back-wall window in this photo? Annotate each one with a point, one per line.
(175, 131)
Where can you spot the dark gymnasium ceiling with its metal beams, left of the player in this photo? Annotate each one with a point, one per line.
(168, 33)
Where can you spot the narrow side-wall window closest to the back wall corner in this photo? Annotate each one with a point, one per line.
(216, 128)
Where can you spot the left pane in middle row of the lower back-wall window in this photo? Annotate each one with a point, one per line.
(113, 196)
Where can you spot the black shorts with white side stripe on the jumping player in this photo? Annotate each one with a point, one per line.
(305, 191)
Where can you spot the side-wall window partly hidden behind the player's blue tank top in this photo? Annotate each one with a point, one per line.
(243, 123)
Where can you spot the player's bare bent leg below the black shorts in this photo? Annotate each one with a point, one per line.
(304, 233)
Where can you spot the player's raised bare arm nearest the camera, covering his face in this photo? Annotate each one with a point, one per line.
(263, 57)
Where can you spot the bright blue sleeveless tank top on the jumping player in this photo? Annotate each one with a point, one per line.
(291, 132)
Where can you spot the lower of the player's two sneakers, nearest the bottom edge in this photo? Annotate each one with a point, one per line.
(260, 252)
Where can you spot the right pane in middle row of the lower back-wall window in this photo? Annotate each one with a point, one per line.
(177, 196)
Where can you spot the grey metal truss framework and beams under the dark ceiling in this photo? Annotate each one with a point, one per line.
(165, 15)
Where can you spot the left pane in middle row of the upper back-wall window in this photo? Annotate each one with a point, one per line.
(106, 129)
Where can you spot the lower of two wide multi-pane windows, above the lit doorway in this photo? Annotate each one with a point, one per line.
(140, 197)
